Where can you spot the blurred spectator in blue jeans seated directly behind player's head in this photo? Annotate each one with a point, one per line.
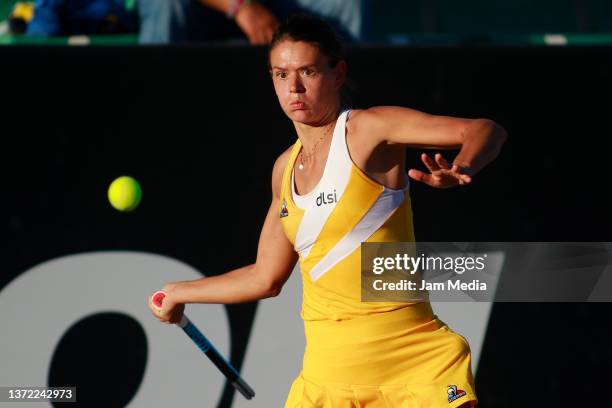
(167, 21)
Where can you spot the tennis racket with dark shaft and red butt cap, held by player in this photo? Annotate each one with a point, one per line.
(211, 352)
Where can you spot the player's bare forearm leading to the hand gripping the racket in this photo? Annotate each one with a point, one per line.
(237, 286)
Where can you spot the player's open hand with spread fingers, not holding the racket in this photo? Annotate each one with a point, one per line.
(442, 175)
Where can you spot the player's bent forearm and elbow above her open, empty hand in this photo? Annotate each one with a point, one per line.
(482, 141)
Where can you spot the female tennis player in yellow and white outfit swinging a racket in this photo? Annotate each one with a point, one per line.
(343, 183)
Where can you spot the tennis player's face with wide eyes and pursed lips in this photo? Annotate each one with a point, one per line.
(306, 86)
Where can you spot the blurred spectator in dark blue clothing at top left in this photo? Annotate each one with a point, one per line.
(71, 17)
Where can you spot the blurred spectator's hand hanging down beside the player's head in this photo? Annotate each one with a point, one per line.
(257, 23)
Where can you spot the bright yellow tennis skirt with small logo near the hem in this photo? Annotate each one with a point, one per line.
(403, 358)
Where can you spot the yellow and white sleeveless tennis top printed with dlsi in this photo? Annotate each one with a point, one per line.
(328, 225)
